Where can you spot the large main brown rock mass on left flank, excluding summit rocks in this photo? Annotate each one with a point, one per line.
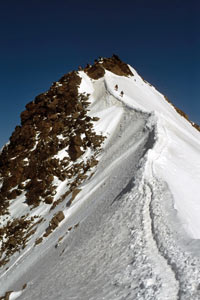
(29, 156)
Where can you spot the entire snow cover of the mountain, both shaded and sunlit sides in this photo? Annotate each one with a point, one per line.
(138, 215)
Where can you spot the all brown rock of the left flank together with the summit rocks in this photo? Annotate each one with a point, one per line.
(54, 121)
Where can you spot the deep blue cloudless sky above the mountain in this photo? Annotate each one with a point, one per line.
(42, 40)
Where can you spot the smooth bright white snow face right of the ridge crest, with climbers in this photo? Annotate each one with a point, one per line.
(175, 158)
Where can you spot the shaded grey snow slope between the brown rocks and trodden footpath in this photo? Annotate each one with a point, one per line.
(112, 254)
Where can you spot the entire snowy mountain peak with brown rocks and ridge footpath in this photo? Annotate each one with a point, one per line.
(99, 192)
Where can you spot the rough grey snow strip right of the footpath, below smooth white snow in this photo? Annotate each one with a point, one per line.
(179, 251)
